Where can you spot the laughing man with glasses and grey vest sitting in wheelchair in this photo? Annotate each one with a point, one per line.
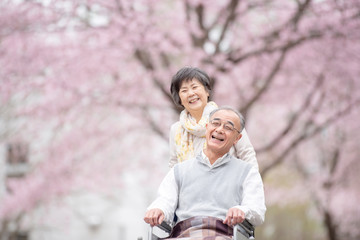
(213, 184)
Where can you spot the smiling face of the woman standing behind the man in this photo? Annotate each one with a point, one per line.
(193, 95)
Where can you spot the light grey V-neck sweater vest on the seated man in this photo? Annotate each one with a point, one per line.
(209, 192)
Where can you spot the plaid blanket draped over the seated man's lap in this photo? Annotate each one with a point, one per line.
(201, 228)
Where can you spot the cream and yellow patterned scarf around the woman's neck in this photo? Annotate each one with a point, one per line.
(188, 130)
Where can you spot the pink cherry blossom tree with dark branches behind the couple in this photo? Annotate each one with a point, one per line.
(87, 82)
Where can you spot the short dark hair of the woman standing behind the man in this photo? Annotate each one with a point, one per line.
(186, 74)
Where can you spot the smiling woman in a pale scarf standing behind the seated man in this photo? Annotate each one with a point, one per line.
(190, 89)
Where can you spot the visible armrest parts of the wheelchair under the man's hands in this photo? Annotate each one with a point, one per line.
(242, 231)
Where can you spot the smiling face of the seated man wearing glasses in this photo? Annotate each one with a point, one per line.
(219, 139)
